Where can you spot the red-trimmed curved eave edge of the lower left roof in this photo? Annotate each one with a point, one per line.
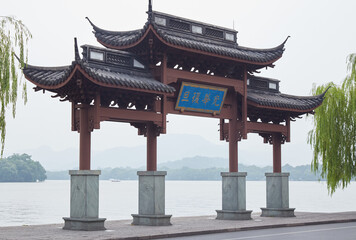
(78, 68)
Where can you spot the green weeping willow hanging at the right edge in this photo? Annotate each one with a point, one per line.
(333, 137)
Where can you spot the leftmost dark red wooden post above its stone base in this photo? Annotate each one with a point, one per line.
(84, 150)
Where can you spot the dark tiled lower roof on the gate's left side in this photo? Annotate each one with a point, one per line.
(114, 76)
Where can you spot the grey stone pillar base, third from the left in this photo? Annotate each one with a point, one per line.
(233, 197)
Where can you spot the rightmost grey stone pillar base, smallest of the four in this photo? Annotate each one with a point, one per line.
(277, 190)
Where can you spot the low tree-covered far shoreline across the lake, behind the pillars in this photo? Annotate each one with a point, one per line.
(198, 168)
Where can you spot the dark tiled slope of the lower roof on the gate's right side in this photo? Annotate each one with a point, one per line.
(280, 100)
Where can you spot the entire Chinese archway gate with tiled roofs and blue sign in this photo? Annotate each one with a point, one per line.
(173, 66)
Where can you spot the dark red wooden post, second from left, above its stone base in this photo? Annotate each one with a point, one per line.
(151, 147)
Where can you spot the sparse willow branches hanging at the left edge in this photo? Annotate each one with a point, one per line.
(14, 36)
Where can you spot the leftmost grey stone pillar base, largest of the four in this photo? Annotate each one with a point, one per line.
(84, 201)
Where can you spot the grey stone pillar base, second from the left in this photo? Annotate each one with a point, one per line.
(151, 199)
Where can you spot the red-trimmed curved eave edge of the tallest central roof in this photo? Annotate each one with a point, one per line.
(151, 28)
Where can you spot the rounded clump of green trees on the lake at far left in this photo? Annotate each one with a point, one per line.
(21, 168)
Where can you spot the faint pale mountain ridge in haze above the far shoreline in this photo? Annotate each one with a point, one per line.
(171, 147)
